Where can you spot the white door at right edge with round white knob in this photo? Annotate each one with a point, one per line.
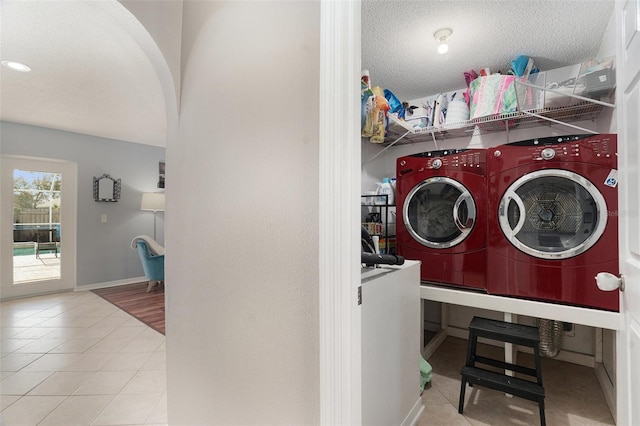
(628, 107)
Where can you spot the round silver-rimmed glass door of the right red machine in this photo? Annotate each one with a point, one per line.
(552, 214)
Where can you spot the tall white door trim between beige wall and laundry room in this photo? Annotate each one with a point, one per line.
(339, 218)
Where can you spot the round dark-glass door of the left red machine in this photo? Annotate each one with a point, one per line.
(439, 212)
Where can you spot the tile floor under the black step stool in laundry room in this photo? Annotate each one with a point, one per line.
(573, 394)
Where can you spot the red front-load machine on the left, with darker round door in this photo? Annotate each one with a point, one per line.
(441, 204)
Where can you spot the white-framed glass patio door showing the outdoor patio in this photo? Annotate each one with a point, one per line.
(38, 216)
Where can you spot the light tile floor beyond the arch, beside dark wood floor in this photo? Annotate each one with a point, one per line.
(75, 359)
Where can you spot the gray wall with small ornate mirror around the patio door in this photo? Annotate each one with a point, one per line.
(104, 253)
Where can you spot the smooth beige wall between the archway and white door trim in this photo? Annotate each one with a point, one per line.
(242, 248)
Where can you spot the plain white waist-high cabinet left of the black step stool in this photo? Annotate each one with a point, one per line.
(391, 345)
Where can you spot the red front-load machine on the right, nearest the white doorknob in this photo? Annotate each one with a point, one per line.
(553, 221)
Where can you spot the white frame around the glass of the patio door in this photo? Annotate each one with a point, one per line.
(68, 220)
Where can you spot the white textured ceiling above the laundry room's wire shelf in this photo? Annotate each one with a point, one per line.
(399, 50)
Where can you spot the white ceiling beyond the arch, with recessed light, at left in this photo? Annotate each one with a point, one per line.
(89, 75)
